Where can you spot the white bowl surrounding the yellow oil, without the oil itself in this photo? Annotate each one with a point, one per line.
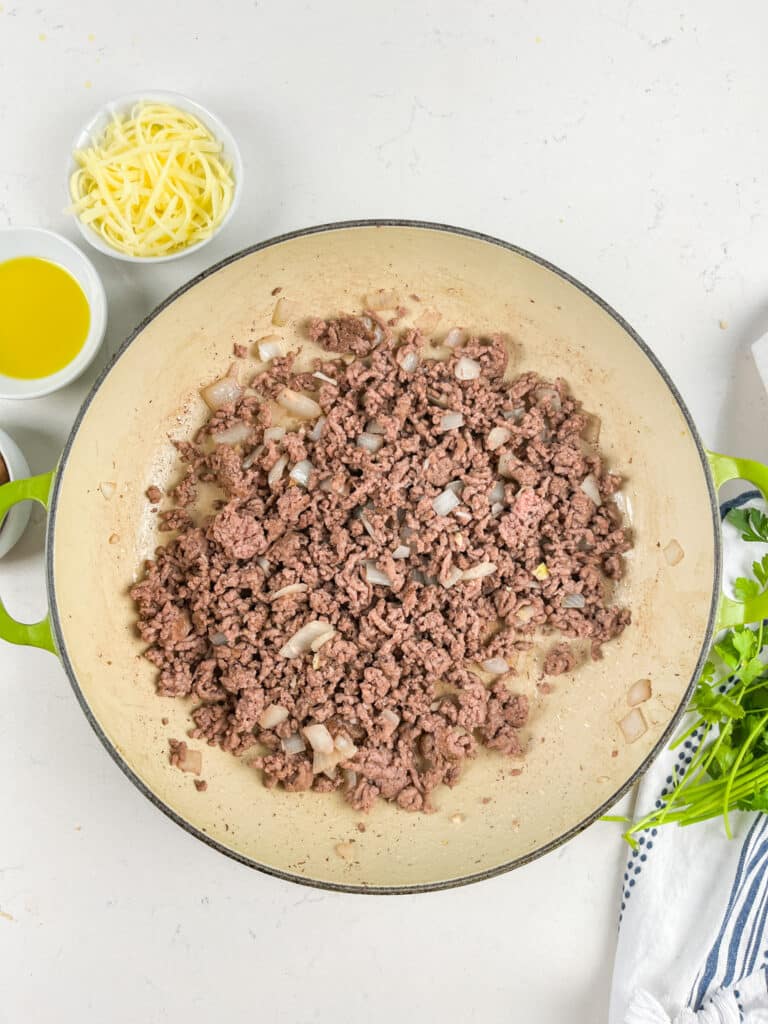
(47, 245)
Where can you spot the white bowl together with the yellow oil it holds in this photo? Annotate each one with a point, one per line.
(54, 313)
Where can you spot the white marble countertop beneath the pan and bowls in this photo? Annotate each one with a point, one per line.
(625, 142)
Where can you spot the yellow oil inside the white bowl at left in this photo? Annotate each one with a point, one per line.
(45, 318)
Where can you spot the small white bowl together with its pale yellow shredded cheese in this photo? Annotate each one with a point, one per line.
(154, 177)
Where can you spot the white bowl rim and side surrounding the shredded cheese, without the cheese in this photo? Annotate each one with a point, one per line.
(94, 131)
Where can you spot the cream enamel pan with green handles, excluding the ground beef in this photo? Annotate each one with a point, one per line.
(578, 761)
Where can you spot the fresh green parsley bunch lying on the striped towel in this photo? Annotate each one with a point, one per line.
(730, 770)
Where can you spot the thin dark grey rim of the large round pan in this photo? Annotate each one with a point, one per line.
(194, 830)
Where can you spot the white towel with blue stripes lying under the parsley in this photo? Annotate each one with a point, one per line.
(694, 928)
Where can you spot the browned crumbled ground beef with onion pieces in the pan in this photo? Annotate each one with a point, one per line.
(397, 685)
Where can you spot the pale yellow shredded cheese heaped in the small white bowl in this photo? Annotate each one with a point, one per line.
(156, 183)
